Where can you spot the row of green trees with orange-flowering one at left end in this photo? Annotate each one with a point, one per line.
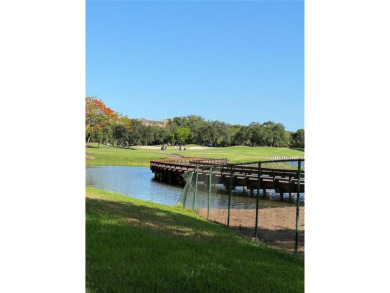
(108, 127)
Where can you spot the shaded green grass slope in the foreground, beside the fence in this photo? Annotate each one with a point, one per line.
(136, 246)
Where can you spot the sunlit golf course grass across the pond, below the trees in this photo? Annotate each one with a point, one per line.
(138, 156)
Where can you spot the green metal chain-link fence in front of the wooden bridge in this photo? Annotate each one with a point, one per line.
(262, 200)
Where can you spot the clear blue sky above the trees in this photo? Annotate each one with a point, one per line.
(237, 62)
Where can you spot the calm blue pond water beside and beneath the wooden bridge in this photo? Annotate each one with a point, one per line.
(138, 182)
